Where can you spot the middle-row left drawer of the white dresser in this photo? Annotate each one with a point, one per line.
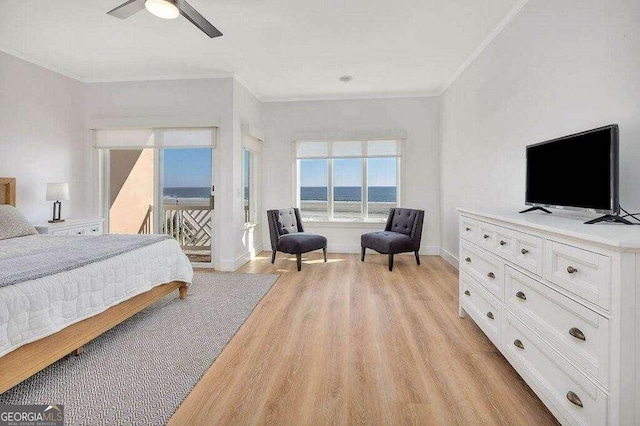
(486, 269)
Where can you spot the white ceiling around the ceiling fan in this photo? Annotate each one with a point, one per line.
(280, 49)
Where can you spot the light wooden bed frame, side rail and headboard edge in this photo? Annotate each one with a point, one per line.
(27, 360)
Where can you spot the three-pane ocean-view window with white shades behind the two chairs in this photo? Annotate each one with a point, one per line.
(347, 180)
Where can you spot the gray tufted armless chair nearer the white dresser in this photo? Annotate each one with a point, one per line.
(402, 234)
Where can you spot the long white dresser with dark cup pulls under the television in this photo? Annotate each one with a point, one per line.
(559, 298)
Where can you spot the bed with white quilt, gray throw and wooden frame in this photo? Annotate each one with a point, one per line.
(46, 316)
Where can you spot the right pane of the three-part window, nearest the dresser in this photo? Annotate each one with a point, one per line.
(382, 186)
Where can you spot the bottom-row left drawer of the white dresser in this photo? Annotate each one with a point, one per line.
(482, 306)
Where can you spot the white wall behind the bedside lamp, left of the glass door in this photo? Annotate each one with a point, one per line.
(41, 136)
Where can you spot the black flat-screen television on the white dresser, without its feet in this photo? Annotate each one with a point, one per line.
(578, 171)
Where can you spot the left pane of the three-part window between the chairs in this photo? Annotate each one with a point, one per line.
(313, 189)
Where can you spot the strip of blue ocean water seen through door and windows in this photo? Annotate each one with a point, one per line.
(377, 194)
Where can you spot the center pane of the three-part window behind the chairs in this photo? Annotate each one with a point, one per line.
(347, 189)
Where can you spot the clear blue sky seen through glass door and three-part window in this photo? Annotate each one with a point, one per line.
(192, 168)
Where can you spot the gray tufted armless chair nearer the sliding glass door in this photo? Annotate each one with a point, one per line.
(288, 236)
